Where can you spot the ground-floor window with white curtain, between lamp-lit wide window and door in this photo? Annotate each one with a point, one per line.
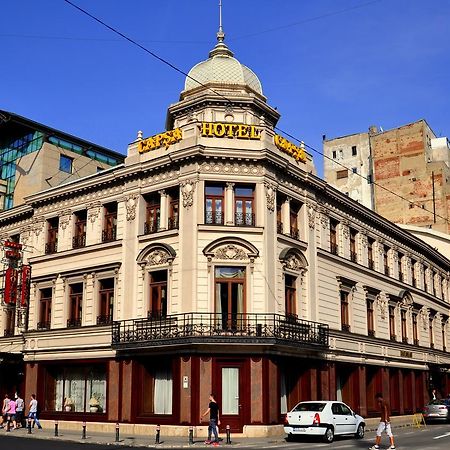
(157, 389)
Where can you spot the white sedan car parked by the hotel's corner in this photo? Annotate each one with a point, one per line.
(323, 418)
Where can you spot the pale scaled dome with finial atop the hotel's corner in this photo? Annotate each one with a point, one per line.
(221, 67)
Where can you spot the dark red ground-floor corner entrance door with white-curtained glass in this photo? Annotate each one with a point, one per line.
(232, 386)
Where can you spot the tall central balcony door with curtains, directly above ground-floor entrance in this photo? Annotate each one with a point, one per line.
(230, 297)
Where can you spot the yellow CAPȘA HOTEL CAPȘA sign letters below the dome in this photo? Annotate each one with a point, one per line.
(219, 129)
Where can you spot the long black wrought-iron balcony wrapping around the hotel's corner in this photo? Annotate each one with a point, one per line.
(207, 328)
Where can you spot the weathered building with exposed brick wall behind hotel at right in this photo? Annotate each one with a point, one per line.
(402, 174)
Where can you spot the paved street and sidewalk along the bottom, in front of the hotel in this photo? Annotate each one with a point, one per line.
(434, 437)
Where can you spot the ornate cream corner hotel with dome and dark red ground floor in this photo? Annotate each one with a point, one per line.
(214, 259)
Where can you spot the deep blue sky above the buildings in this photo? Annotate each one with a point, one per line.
(331, 67)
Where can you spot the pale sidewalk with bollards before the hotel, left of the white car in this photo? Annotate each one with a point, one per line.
(142, 441)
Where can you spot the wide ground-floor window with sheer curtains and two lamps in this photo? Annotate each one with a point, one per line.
(76, 389)
